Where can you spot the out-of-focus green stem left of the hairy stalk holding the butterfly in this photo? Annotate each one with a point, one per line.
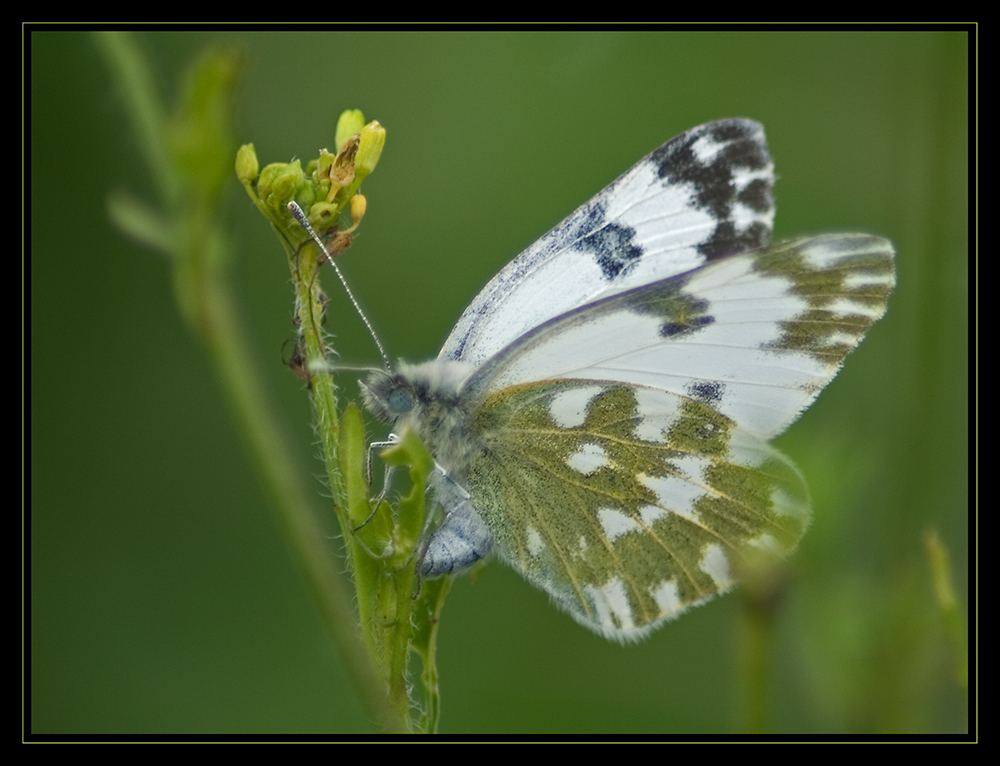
(190, 154)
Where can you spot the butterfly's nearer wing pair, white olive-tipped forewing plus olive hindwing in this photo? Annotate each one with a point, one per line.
(625, 468)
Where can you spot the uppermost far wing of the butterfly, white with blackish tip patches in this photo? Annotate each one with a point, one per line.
(703, 195)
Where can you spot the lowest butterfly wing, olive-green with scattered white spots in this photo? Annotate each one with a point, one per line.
(628, 504)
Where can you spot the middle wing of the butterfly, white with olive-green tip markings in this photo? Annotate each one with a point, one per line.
(756, 335)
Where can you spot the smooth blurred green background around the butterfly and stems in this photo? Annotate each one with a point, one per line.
(163, 598)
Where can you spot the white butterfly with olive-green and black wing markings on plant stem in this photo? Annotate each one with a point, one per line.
(600, 414)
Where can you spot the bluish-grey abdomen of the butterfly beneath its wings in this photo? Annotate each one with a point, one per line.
(462, 539)
